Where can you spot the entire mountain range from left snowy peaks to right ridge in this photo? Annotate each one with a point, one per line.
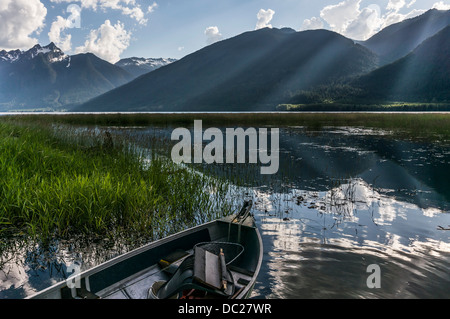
(256, 70)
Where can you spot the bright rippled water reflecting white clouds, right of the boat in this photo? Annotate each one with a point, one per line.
(321, 246)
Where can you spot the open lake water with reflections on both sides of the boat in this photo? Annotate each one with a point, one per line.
(343, 200)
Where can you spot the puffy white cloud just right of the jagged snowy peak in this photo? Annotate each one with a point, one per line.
(107, 42)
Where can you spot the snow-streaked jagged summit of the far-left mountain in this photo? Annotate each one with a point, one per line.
(51, 53)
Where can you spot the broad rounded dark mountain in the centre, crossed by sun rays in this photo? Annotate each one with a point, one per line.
(252, 71)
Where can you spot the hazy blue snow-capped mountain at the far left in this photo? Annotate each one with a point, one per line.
(47, 78)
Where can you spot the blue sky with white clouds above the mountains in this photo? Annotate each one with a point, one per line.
(115, 29)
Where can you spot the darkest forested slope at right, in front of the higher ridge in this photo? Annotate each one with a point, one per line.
(423, 76)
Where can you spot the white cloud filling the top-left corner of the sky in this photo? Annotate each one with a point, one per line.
(19, 20)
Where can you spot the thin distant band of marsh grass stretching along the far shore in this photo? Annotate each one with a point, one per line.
(430, 125)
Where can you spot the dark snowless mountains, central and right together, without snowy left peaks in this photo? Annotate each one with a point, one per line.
(261, 69)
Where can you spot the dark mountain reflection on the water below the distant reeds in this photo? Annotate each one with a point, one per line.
(413, 171)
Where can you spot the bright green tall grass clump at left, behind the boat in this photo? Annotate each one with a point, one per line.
(58, 182)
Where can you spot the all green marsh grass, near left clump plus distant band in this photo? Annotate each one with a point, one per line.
(64, 175)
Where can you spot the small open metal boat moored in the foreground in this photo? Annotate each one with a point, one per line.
(217, 260)
